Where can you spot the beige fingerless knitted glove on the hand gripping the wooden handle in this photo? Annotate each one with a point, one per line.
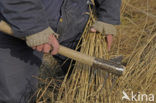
(40, 37)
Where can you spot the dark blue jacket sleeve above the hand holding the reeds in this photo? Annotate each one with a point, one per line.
(108, 11)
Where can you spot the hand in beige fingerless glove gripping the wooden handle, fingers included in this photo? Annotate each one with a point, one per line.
(44, 41)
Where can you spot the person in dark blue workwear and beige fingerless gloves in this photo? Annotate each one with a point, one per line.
(38, 21)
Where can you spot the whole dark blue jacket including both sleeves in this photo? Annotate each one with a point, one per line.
(27, 17)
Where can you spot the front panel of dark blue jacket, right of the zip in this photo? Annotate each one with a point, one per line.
(74, 18)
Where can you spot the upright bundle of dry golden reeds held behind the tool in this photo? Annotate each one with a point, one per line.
(87, 84)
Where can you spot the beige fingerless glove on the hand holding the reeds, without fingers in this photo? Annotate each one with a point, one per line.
(104, 28)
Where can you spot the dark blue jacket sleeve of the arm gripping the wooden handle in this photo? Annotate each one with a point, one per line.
(25, 17)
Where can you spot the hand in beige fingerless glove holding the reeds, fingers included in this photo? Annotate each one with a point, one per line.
(106, 29)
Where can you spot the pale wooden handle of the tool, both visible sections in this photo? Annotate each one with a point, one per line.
(4, 27)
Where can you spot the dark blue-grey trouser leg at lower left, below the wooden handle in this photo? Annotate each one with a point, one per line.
(18, 65)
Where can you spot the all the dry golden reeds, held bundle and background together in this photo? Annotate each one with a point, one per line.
(136, 41)
